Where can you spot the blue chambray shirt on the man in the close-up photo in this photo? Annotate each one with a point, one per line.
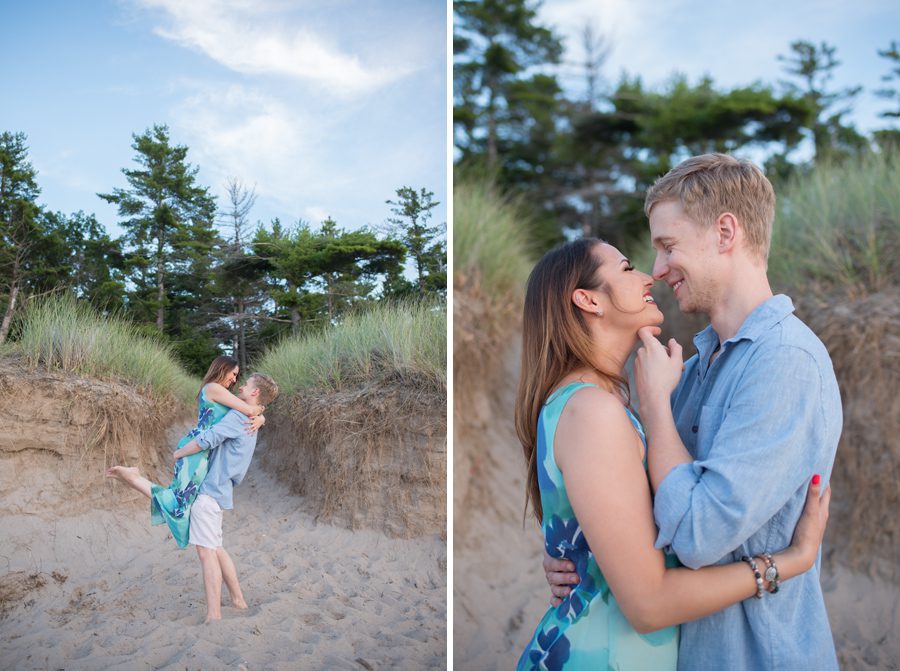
(759, 422)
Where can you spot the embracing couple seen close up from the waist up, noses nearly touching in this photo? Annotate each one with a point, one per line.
(707, 512)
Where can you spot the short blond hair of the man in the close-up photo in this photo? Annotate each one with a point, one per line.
(710, 184)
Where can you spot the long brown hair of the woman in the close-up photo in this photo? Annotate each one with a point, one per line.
(556, 340)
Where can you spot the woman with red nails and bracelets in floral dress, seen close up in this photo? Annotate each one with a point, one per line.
(587, 479)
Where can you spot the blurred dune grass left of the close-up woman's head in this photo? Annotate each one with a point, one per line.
(490, 243)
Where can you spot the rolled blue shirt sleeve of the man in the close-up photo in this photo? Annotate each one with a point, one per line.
(764, 448)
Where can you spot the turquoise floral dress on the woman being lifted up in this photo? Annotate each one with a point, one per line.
(172, 505)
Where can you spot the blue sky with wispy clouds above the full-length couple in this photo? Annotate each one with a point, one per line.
(326, 106)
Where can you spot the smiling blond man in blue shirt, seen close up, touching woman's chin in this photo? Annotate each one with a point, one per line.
(733, 443)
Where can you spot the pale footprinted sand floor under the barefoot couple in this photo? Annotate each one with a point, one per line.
(106, 591)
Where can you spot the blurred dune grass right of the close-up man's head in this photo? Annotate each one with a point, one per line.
(837, 228)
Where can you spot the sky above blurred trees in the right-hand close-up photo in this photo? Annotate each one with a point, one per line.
(735, 42)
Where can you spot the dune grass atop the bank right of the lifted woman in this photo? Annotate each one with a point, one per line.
(387, 341)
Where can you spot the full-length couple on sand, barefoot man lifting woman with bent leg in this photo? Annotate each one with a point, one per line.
(210, 461)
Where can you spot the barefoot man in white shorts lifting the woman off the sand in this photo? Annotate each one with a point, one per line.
(231, 450)
